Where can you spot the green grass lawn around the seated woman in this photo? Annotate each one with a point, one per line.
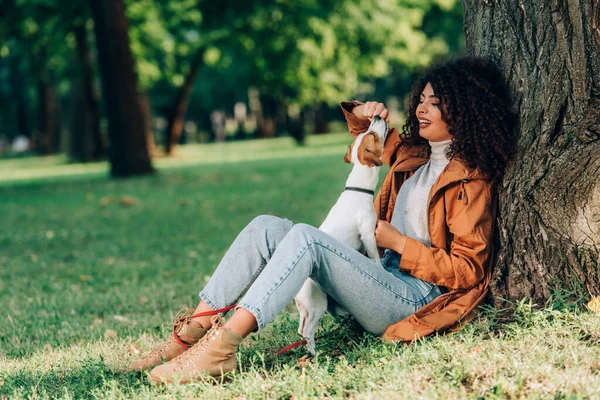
(84, 277)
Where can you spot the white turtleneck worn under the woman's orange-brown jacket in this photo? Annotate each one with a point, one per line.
(410, 212)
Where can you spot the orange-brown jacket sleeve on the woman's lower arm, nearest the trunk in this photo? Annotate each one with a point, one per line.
(471, 229)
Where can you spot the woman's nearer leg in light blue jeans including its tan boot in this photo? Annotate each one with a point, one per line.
(374, 296)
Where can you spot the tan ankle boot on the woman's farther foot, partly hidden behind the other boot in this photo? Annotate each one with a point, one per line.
(186, 333)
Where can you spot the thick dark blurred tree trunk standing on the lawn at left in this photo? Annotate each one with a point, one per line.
(128, 151)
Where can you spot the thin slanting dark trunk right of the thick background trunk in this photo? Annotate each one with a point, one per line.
(177, 113)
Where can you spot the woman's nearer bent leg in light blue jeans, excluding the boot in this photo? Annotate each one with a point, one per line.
(375, 297)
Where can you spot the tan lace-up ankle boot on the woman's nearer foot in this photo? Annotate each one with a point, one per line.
(213, 355)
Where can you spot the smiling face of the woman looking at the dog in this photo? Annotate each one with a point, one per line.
(431, 126)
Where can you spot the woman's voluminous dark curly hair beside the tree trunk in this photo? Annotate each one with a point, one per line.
(474, 103)
